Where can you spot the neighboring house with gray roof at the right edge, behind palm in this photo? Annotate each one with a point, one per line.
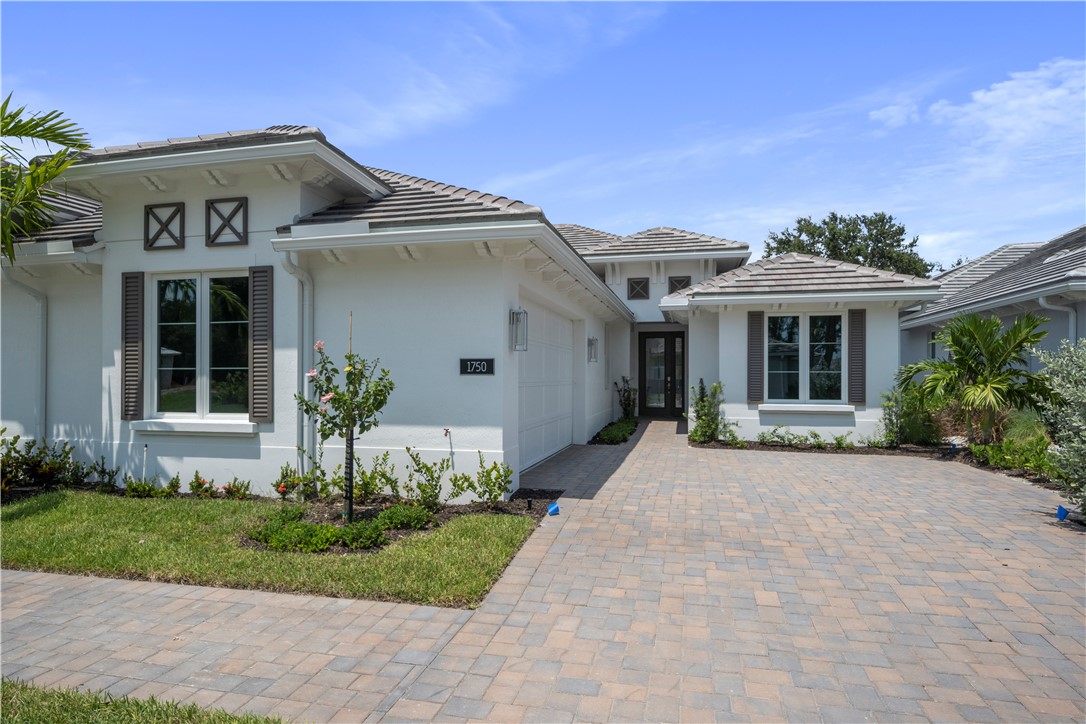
(1047, 278)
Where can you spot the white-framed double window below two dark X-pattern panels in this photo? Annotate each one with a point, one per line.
(201, 336)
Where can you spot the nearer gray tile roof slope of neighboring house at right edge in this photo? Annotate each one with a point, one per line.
(1058, 262)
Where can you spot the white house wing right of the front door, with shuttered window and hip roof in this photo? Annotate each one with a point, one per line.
(799, 341)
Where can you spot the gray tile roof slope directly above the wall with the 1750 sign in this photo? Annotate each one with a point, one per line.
(421, 201)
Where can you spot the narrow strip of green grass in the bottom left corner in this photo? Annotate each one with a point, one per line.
(22, 703)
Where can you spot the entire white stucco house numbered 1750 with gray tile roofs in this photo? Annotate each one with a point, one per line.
(173, 309)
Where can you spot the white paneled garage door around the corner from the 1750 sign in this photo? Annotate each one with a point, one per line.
(547, 386)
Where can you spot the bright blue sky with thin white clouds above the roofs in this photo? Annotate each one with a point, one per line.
(965, 121)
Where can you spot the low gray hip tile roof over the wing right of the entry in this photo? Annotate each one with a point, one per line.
(803, 274)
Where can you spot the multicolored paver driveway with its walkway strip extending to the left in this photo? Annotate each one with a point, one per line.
(677, 585)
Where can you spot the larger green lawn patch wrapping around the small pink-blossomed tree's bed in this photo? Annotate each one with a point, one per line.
(197, 542)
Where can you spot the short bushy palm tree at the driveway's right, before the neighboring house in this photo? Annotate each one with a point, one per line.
(987, 370)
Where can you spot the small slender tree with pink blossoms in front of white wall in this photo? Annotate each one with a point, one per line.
(348, 410)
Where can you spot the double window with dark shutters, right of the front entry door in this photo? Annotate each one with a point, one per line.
(804, 358)
